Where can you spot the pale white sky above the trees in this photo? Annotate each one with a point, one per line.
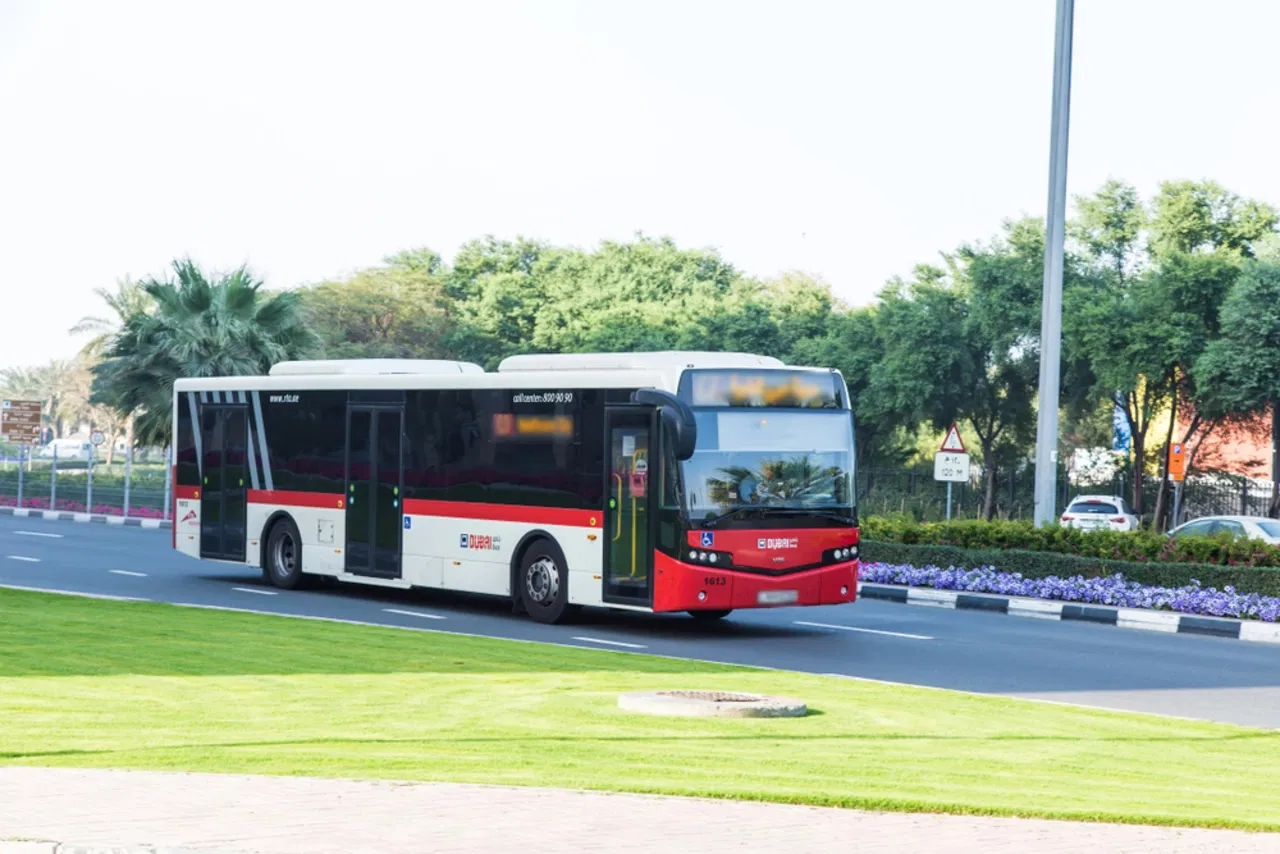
(847, 139)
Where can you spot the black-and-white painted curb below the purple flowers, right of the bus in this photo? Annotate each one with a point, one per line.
(1141, 619)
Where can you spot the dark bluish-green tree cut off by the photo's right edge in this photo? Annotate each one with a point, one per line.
(1242, 368)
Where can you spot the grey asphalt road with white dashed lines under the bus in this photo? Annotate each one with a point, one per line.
(1104, 666)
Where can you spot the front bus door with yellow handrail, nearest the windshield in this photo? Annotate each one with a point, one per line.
(629, 519)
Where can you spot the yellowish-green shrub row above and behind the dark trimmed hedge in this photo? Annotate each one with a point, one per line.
(1136, 547)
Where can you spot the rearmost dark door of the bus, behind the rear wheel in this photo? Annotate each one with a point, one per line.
(223, 494)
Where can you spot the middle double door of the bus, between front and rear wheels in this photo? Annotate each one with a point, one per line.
(374, 486)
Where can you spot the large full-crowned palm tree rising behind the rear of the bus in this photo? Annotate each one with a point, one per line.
(195, 328)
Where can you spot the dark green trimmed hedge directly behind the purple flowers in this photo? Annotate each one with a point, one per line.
(1043, 565)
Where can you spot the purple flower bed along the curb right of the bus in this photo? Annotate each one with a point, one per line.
(1114, 591)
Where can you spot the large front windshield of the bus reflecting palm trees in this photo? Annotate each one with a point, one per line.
(771, 460)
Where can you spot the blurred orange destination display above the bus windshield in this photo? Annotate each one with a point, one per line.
(762, 389)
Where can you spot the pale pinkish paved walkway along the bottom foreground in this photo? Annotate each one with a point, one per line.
(277, 815)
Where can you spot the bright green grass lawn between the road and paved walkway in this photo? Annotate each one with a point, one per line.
(139, 686)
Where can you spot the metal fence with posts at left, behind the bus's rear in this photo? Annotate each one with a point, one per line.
(136, 485)
